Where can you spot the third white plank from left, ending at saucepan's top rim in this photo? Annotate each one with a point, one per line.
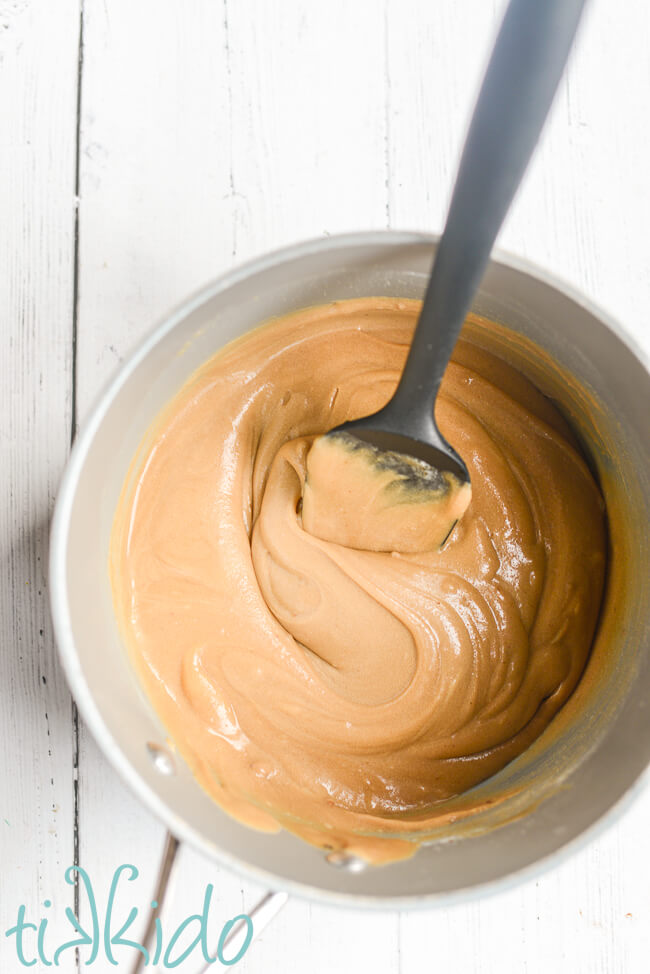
(308, 89)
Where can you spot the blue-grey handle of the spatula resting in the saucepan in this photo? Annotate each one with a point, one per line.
(524, 71)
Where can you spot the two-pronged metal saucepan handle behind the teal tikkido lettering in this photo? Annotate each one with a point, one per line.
(260, 914)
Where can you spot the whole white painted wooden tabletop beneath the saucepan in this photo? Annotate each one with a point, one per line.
(202, 133)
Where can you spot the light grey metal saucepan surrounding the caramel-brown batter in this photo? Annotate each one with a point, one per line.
(592, 757)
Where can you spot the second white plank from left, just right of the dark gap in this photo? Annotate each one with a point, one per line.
(151, 226)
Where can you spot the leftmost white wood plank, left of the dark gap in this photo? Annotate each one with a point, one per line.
(38, 76)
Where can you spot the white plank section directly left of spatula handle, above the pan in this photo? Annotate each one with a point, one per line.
(436, 54)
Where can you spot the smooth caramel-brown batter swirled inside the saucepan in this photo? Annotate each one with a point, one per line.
(340, 693)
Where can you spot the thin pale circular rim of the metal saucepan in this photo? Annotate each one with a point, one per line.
(59, 590)
